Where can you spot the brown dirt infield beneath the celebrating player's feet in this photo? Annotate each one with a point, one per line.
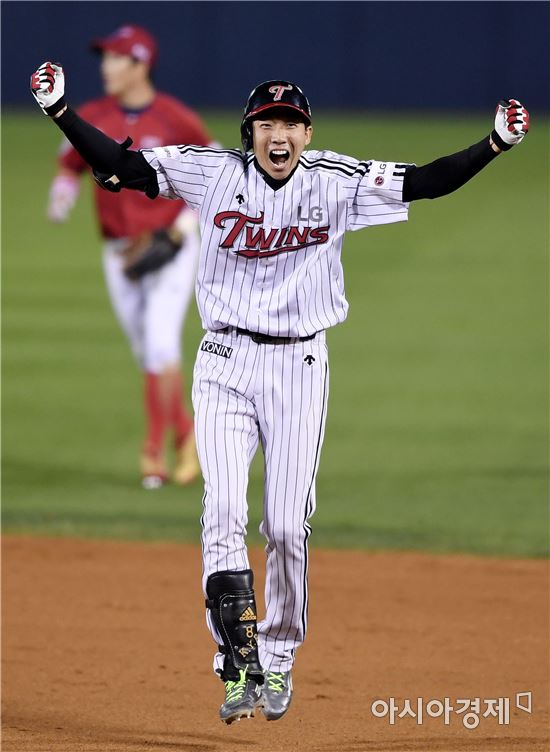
(105, 648)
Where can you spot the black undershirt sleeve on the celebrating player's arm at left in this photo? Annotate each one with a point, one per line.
(105, 155)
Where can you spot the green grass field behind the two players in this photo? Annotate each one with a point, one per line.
(438, 414)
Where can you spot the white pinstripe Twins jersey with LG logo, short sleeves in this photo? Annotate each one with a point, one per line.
(270, 259)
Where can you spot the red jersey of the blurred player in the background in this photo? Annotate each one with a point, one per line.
(164, 121)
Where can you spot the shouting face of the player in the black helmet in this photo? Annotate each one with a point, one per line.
(278, 143)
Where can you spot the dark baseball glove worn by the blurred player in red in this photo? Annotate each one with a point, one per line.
(150, 251)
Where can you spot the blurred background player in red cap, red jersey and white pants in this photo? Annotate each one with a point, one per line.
(150, 307)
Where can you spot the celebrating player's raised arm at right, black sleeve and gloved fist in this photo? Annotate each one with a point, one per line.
(447, 174)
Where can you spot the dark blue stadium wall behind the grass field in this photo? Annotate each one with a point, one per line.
(382, 55)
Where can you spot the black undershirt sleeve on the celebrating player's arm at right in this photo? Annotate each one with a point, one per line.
(446, 174)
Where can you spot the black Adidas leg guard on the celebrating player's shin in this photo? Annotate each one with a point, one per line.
(233, 609)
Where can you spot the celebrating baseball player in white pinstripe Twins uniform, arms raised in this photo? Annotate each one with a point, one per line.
(270, 282)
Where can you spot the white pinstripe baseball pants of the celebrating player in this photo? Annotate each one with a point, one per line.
(277, 394)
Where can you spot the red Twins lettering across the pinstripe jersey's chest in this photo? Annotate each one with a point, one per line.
(256, 241)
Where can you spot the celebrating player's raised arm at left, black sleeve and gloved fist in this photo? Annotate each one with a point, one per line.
(114, 166)
